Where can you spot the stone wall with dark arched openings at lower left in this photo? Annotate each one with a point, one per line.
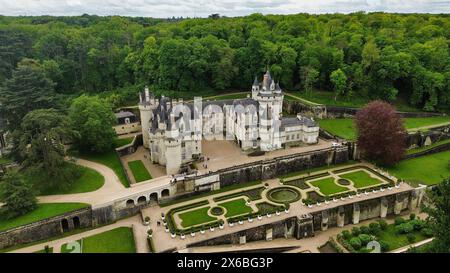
(46, 228)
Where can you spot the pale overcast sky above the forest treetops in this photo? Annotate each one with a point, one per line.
(202, 8)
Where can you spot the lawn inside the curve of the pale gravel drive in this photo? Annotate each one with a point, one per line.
(90, 180)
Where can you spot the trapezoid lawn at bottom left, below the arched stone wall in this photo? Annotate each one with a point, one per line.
(119, 240)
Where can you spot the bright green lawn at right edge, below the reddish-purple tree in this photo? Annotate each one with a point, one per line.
(428, 170)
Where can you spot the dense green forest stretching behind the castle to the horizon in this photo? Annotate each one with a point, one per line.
(373, 55)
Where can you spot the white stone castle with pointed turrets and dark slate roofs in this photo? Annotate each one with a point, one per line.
(173, 130)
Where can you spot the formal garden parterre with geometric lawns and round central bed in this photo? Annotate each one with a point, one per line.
(256, 201)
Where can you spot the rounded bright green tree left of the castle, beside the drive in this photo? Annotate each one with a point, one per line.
(93, 119)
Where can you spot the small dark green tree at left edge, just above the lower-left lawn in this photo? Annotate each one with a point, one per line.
(17, 196)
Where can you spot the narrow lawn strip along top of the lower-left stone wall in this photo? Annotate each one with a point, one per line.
(43, 211)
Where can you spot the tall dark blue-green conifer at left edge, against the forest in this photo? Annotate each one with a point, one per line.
(28, 89)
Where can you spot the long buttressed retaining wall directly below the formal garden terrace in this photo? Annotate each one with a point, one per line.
(307, 225)
